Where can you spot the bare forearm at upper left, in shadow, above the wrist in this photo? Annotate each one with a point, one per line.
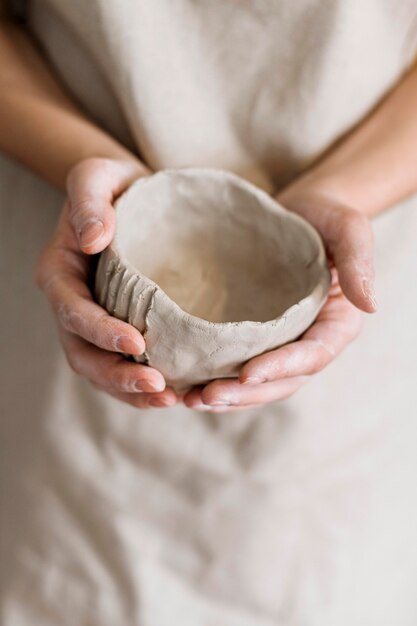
(39, 124)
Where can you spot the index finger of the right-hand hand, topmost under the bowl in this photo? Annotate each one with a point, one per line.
(336, 326)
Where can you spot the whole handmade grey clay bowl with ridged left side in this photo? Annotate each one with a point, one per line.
(211, 270)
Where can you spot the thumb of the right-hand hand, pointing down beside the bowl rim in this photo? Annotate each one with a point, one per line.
(350, 243)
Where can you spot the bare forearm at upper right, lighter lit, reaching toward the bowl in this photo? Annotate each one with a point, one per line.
(375, 166)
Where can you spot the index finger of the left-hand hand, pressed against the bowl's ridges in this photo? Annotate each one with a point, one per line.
(79, 314)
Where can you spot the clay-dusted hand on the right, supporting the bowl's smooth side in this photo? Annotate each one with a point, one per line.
(277, 374)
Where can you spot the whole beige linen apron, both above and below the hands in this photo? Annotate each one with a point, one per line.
(299, 513)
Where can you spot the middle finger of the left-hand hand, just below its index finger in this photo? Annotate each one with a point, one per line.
(110, 370)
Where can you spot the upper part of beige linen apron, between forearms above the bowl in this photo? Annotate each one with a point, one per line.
(259, 87)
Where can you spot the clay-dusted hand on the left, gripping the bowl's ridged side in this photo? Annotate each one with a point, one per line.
(92, 339)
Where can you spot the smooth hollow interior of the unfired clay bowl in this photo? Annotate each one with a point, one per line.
(220, 251)
